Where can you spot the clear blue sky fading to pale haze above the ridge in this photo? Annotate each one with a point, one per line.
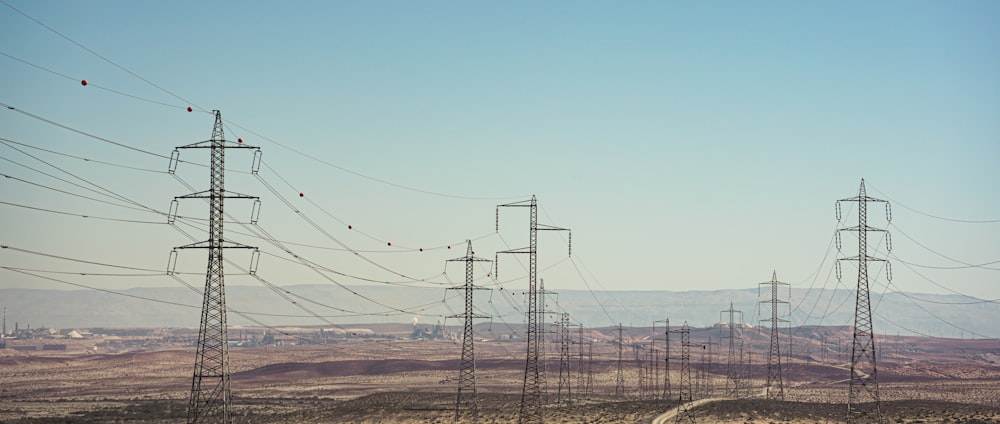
(687, 145)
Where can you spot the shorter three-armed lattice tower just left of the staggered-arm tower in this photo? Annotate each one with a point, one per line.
(466, 399)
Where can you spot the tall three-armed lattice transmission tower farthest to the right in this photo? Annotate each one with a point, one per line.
(863, 404)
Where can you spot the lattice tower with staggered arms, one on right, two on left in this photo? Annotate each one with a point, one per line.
(531, 392)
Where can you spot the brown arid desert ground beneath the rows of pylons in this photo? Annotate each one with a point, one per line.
(385, 376)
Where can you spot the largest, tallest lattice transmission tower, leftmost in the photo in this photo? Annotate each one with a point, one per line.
(211, 397)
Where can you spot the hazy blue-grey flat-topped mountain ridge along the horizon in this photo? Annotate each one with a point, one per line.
(928, 314)
